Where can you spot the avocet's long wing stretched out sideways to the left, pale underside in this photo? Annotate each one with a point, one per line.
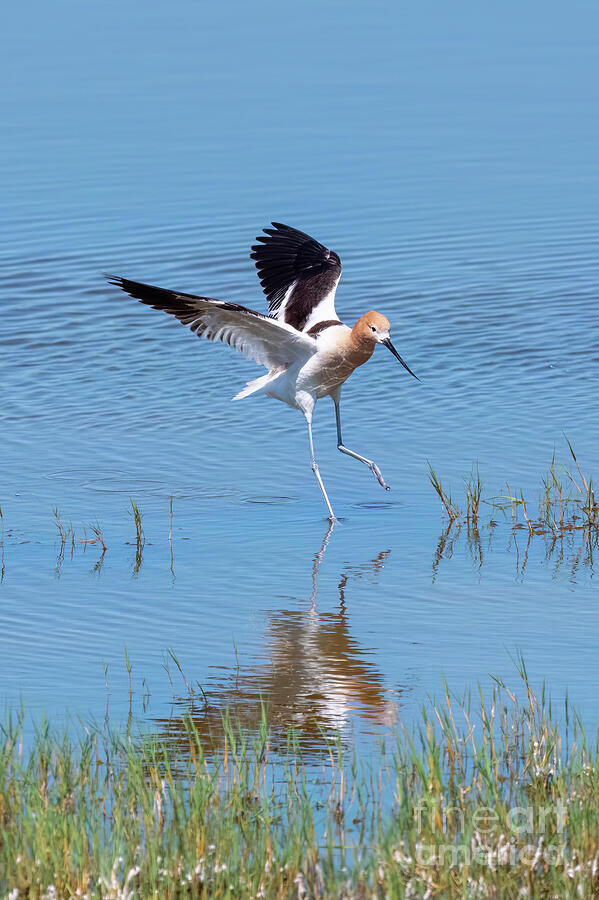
(264, 340)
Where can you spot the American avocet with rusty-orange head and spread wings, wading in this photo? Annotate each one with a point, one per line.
(308, 352)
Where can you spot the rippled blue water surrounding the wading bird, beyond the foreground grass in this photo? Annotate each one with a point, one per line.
(450, 158)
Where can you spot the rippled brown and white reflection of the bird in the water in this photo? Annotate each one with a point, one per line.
(316, 678)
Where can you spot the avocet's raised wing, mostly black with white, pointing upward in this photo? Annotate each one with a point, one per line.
(299, 276)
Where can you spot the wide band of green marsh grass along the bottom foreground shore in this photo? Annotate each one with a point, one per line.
(485, 797)
